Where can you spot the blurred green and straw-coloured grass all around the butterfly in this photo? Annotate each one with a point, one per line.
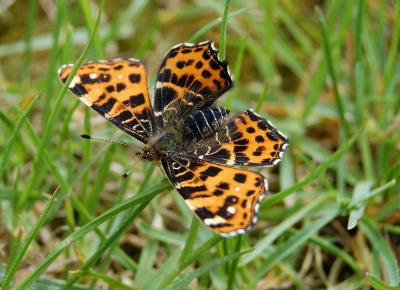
(332, 219)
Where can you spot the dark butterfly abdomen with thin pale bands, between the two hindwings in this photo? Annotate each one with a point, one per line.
(203, 123)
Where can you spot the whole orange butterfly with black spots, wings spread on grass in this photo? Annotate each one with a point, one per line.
(196, 142)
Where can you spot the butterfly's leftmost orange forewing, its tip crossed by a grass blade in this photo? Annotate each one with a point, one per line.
(118, 91)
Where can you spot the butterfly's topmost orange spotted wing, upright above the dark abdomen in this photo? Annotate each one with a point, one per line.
(191, 77)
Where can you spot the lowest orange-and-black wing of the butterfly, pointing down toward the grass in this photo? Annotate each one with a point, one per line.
(223, 198)
